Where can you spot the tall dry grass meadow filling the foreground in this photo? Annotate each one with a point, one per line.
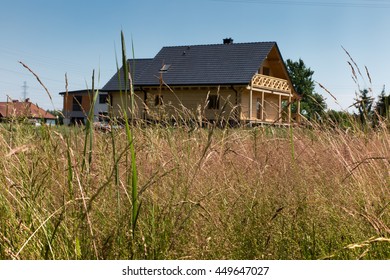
(194, 193)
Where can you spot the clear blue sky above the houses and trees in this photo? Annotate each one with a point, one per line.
(54, 37)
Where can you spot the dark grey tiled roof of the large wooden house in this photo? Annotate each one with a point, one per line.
(220, 64)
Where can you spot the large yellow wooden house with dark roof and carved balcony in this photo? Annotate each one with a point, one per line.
(250, 78)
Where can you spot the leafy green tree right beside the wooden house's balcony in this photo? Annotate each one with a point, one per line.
(312, 104)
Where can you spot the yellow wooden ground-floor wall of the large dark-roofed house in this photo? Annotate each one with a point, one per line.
(191, 103)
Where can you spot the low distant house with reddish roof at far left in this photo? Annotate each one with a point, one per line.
(22, 110)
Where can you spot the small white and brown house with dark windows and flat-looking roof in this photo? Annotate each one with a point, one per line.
(78, 103)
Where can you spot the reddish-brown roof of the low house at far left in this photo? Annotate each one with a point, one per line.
(16, 109)
